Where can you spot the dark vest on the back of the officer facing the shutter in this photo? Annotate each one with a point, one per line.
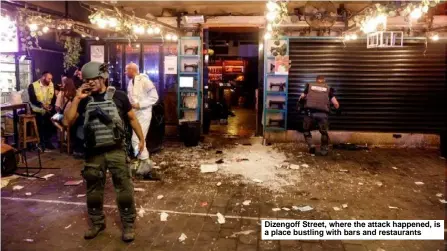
(317, 97)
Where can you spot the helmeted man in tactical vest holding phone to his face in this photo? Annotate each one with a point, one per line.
(107, 111)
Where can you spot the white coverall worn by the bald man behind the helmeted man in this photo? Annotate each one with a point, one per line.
(142, 91)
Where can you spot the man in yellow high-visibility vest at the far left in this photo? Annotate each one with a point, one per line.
(42, 100)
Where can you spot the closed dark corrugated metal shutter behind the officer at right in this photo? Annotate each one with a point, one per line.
(393, 90)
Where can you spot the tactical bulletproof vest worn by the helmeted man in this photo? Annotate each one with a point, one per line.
(103, 126)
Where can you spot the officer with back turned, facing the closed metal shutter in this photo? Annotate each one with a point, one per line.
(317, 97)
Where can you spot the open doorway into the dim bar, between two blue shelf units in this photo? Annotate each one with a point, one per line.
(231, 80)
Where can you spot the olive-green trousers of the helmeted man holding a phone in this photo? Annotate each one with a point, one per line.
(94, 173)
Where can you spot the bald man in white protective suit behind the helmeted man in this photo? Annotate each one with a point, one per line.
(142, 95)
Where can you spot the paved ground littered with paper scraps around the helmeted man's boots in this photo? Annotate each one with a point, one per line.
(54, 218)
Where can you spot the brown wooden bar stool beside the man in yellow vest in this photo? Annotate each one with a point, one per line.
(26, 137)
